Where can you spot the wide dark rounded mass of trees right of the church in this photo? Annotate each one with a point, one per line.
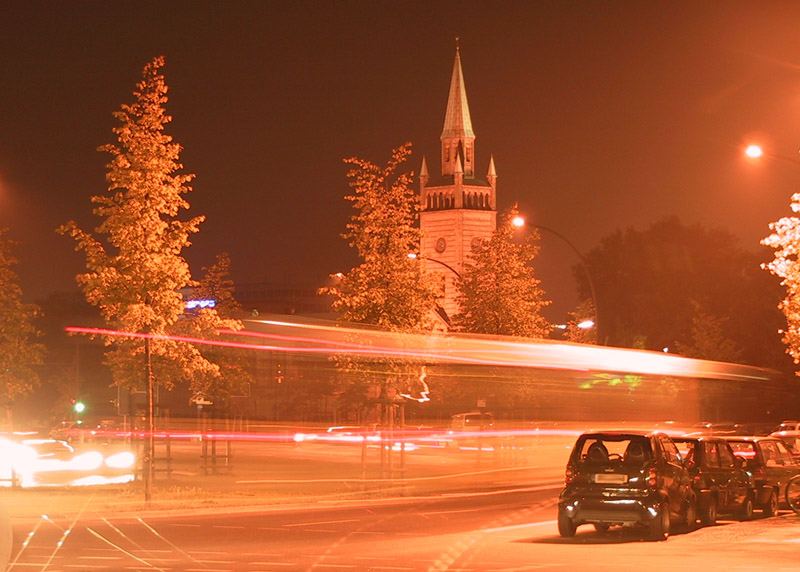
(651, 284)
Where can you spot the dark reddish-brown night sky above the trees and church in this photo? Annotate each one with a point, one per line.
(600, 115)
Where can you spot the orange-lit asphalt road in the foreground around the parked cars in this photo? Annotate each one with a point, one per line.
(508, 530)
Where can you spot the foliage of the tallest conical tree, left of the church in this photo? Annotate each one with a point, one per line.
(135, 270)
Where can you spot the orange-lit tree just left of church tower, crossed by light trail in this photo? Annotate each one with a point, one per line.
(387, 289)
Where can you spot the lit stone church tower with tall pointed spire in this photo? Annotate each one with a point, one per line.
(458, 209)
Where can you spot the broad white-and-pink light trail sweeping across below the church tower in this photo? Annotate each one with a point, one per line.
(461, 349)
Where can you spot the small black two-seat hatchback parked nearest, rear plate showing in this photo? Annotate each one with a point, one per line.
(626, 478)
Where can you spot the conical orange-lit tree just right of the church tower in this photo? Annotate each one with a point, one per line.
(498, 292)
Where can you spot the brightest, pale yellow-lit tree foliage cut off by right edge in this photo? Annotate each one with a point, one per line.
(785, 241)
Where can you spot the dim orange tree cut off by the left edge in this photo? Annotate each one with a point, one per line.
(20, 354)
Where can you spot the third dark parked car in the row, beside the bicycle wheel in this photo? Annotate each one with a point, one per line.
(770, 464)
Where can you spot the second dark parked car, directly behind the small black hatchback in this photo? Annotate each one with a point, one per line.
(720, 482)
